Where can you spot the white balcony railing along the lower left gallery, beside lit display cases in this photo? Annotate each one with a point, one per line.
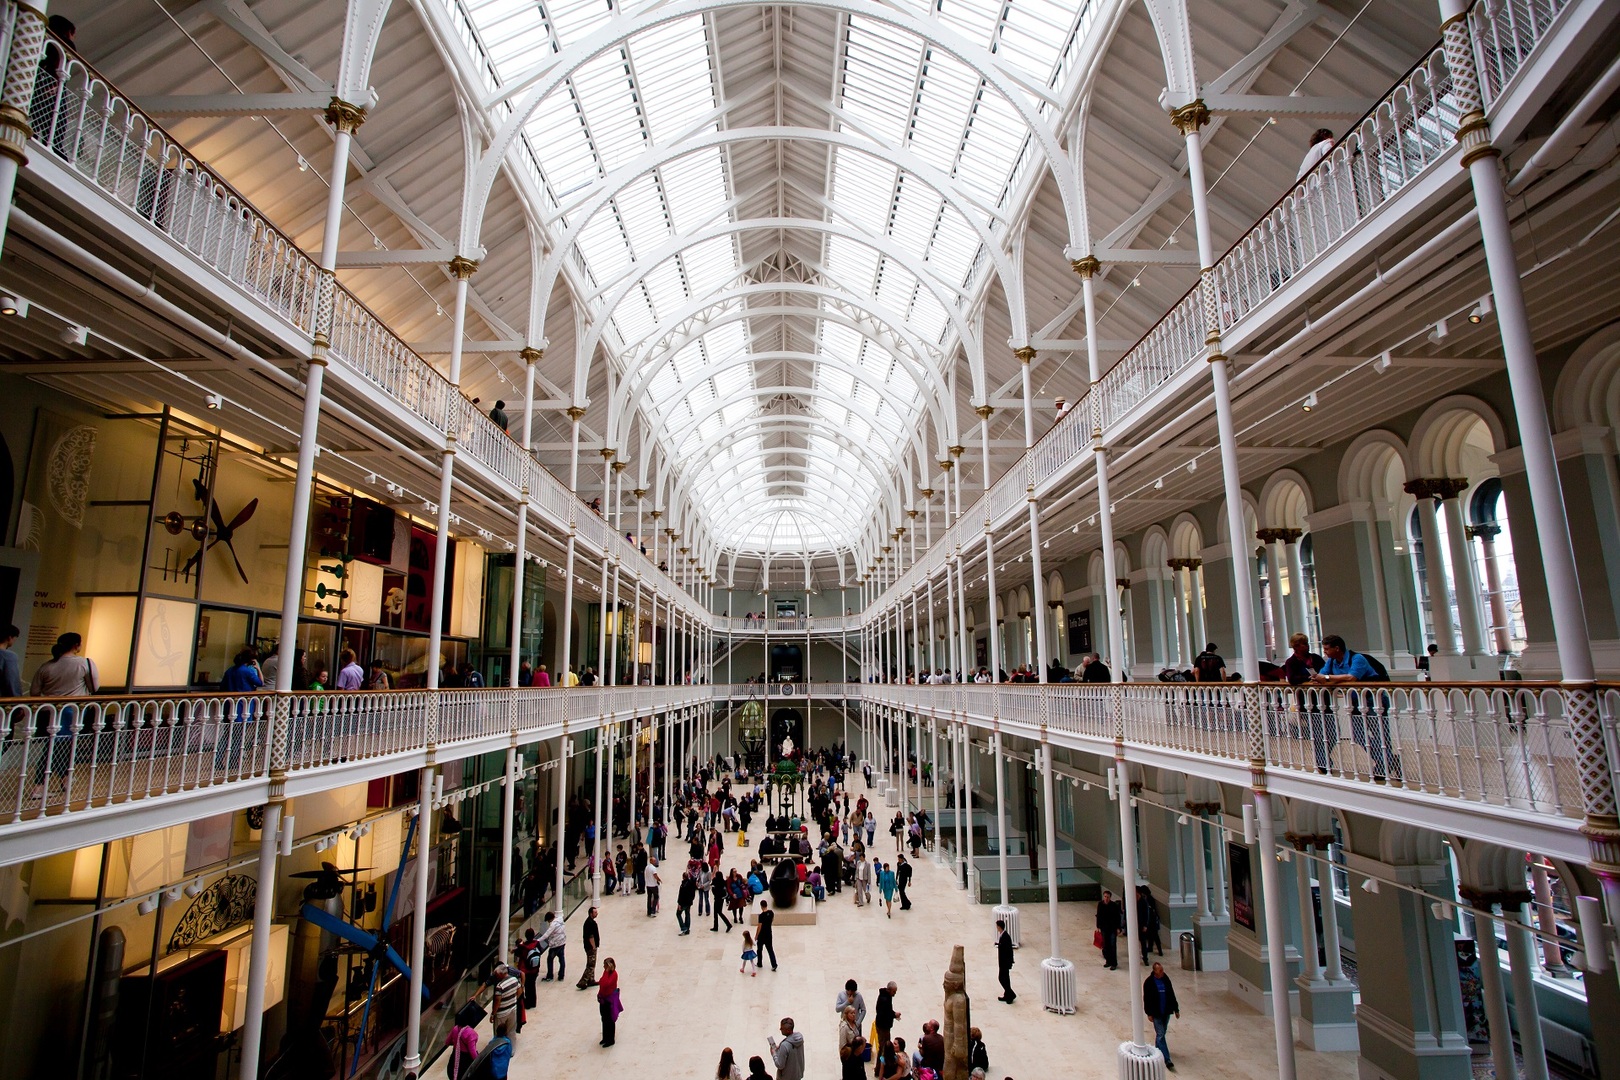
(62, 757)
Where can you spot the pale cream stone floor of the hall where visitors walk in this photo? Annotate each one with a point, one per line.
(684, 998)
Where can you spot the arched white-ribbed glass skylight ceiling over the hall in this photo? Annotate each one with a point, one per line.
(778, 474)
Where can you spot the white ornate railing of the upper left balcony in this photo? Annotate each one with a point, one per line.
(101, 135)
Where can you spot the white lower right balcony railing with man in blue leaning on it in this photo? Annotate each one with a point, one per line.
(1494, 744)
